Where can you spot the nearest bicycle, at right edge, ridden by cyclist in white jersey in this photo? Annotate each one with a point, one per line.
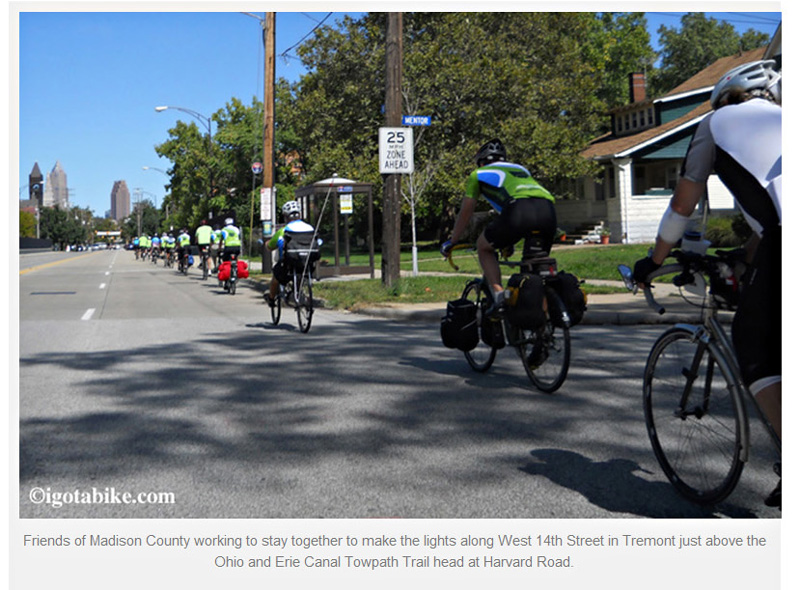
(693, 393)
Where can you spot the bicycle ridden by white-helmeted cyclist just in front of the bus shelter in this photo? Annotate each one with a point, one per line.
(297, 292)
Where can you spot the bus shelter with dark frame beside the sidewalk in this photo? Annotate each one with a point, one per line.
(340, 194)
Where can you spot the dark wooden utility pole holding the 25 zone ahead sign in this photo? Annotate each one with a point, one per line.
(390, 247)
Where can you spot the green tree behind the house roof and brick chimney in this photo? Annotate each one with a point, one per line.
(696, 45)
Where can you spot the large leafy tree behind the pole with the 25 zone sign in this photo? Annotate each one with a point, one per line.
(530, 78)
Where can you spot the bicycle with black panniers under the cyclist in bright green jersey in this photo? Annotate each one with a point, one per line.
(544, 351)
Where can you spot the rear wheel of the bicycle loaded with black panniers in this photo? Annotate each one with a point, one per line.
(545, 352)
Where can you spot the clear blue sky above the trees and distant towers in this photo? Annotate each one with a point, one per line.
(89, 84)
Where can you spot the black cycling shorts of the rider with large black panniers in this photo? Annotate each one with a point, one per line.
(523, 219)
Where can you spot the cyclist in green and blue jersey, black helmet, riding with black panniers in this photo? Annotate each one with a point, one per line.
(526, 211)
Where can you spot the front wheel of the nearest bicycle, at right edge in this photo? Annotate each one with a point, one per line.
(695, 416)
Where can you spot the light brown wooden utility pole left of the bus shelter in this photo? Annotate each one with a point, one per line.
(268, 209)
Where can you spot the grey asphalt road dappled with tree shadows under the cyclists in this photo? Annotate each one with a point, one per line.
(134, 379)
